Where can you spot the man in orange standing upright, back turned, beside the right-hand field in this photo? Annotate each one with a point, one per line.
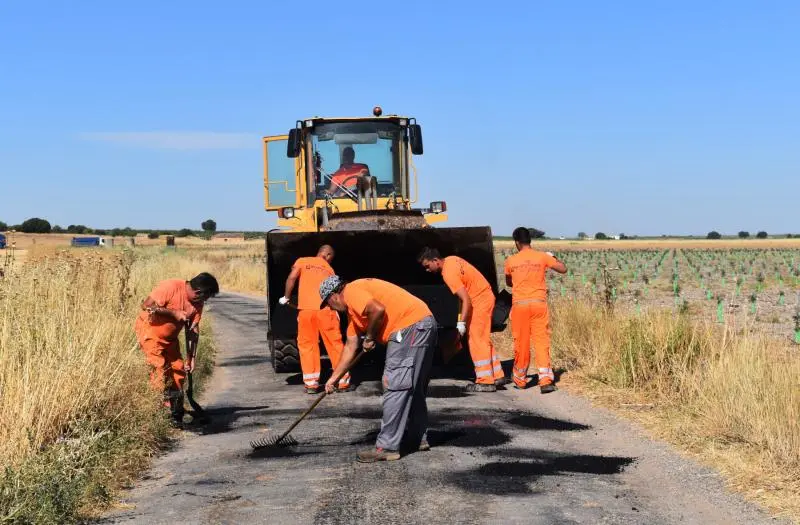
(530, 318)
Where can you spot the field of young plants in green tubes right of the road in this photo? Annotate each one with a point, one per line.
(718, 276)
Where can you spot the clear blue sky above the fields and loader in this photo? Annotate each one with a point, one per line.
(635, 117)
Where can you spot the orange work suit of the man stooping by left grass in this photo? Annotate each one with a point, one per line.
(159, 336)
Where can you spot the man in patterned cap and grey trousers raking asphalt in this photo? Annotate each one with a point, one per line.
(385, 313)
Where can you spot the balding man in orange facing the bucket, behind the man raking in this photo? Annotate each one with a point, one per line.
(313, 321)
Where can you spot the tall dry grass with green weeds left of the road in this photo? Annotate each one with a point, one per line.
(76, 414)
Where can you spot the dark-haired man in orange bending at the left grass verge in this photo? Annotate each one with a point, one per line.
(174, 304)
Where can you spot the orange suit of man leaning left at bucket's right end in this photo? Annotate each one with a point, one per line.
(458, 273)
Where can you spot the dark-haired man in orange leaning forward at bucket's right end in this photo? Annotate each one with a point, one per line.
(475, 320)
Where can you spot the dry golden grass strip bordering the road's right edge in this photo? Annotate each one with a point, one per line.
(728, 394)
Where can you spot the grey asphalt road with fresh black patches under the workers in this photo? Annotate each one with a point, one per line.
(511, 456)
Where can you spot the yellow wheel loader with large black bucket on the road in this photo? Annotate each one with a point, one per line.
(351, 182)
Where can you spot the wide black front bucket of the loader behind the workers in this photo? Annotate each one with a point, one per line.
(390, 255)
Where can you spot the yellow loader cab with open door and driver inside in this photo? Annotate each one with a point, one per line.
(325, 166)
